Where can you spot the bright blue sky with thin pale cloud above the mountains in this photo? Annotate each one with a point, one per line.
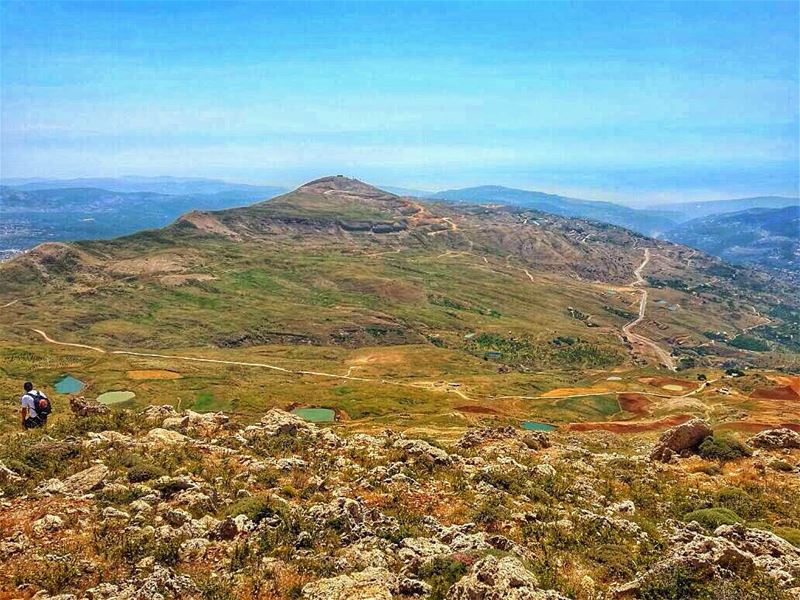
(634, 102)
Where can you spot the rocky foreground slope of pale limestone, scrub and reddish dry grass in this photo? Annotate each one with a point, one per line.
(166, 505)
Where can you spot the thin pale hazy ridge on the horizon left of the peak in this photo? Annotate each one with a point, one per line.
(157, 185)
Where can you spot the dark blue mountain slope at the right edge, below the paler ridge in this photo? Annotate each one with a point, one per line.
(764, 237)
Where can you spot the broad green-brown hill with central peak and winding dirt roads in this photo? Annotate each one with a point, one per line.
(396, 310)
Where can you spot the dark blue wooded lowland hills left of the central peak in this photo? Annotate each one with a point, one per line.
(31, 217)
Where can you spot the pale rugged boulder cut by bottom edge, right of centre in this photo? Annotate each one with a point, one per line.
(505, 578)
